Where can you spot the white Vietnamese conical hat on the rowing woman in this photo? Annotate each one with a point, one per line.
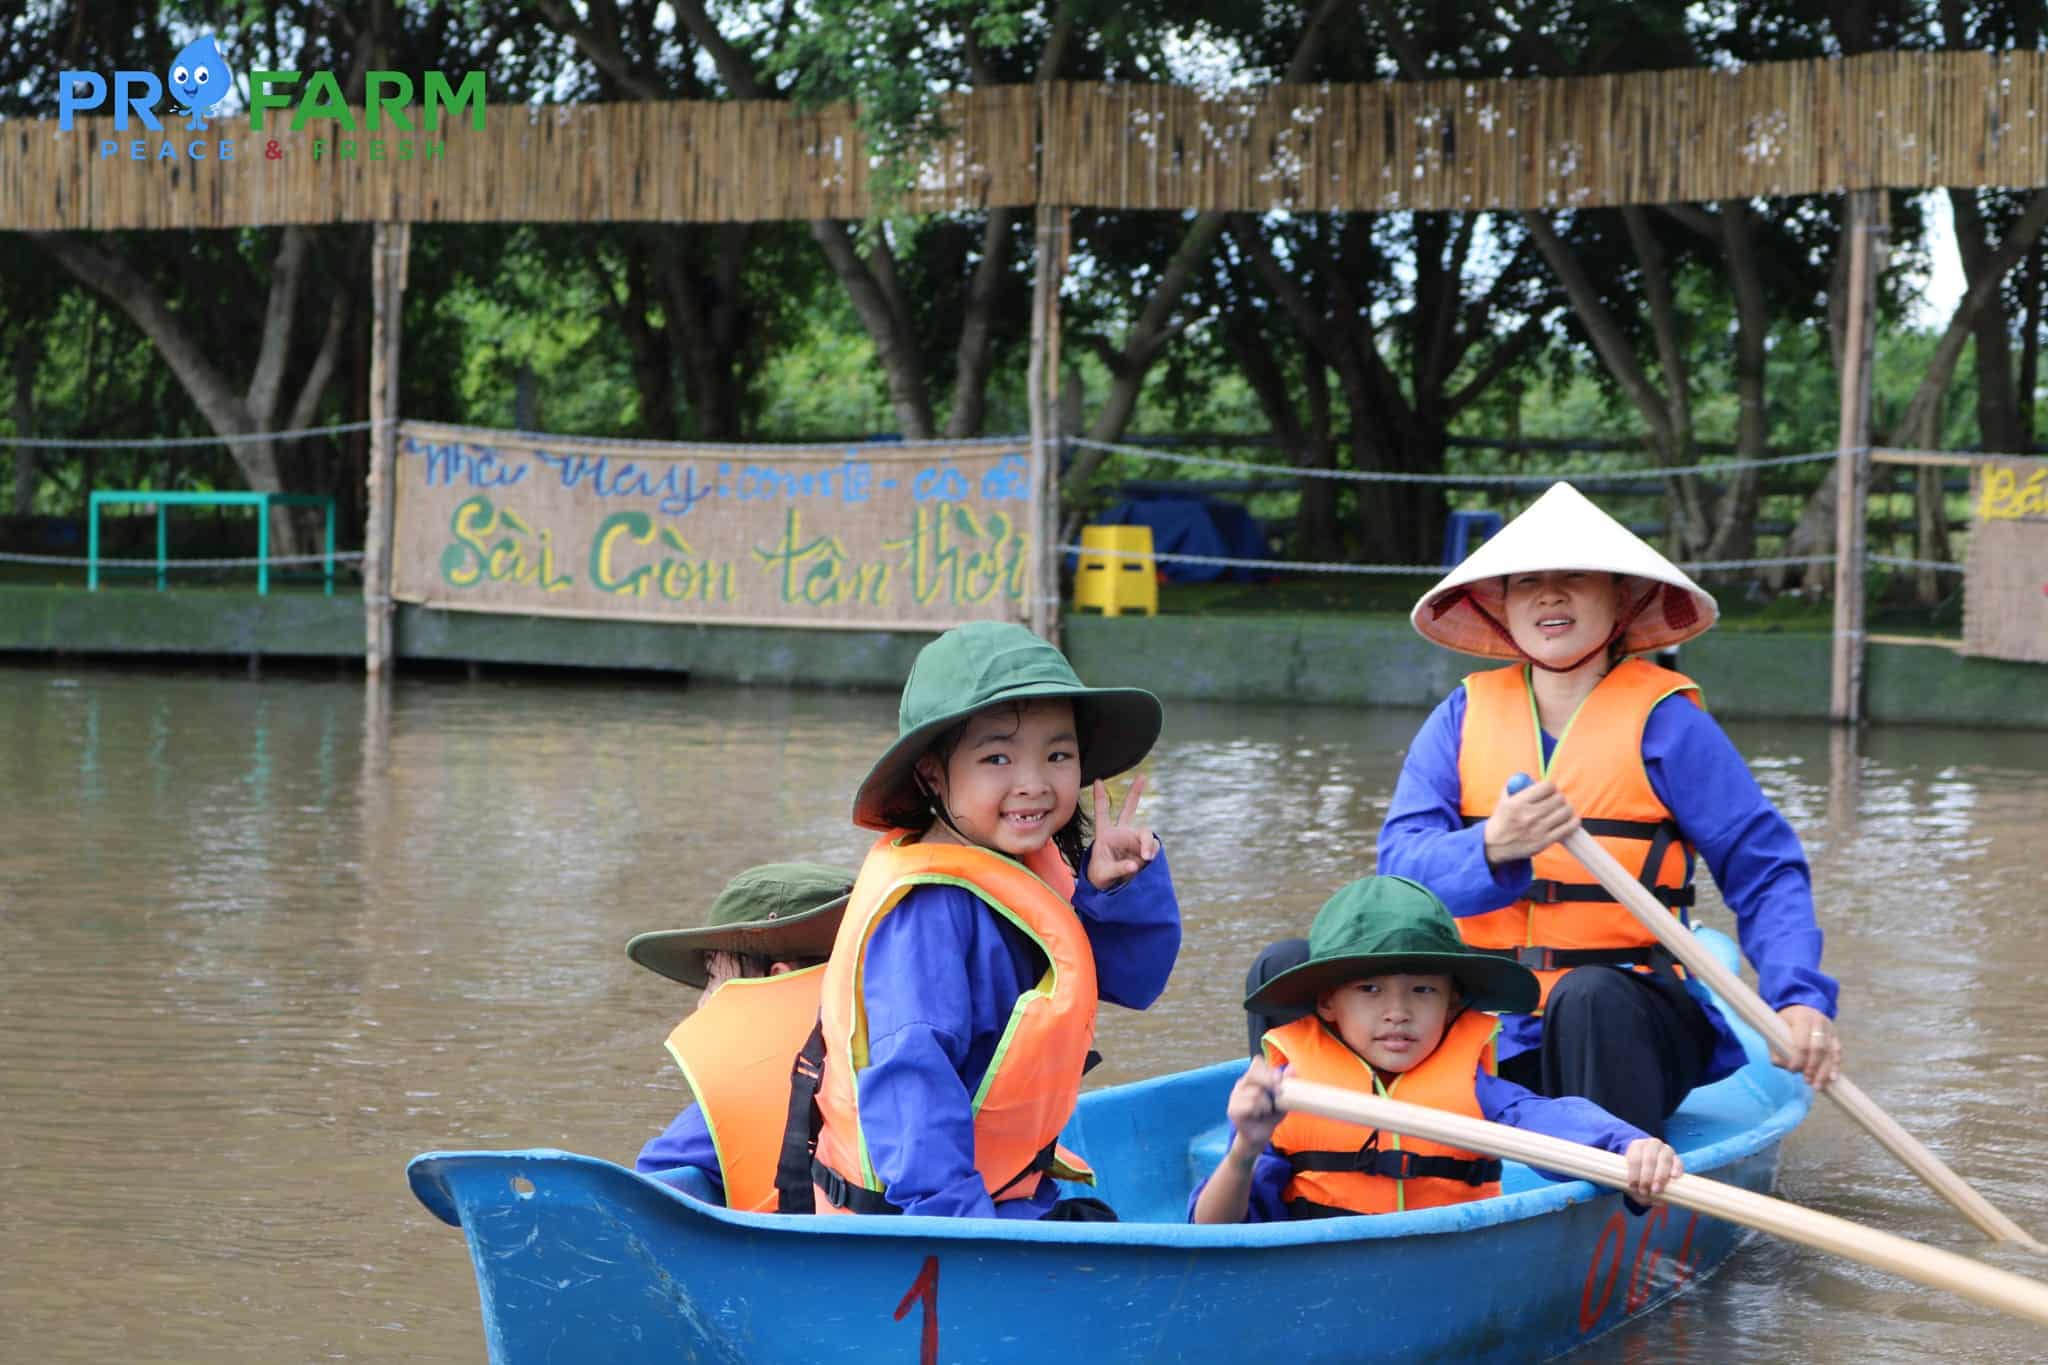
(1562, 531)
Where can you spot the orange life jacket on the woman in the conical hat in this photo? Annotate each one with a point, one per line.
(1570, 920)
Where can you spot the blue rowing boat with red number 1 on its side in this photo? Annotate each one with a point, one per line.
(581, 1260)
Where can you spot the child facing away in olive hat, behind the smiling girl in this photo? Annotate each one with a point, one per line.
(759, 961)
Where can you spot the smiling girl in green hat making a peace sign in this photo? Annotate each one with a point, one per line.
(959, 1002)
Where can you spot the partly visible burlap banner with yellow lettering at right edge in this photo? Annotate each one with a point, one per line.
(2006, 592)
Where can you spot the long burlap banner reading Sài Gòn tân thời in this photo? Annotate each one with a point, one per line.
(921, 535)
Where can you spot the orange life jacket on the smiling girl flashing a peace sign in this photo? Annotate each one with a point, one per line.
(1035, 1075)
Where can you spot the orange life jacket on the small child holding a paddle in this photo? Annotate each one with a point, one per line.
(1334, 1174)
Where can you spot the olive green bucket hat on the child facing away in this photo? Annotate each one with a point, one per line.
(777, 912)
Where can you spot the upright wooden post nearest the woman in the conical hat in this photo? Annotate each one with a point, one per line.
(1867, 222)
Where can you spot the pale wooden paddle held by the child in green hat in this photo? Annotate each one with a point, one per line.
(1926, 1266)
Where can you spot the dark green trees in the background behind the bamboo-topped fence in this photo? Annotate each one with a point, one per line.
(1369, 341)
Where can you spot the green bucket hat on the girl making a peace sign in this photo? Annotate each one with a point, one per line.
(992, 662)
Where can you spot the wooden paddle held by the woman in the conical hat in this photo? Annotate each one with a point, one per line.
(1764, 1020)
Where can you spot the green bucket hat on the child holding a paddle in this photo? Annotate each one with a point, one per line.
(1388, 924)
